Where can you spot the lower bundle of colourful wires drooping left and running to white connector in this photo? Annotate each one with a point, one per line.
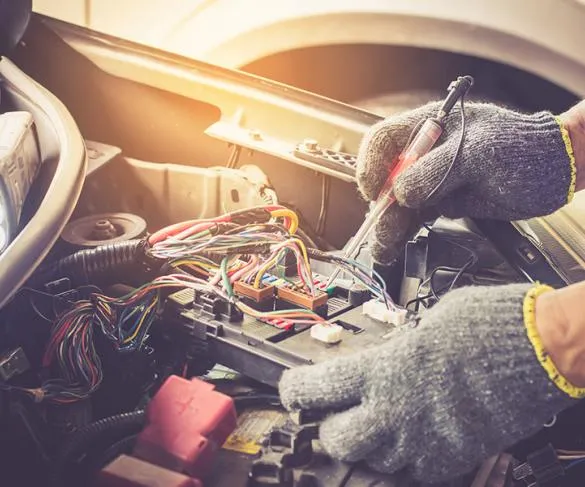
(124, 321)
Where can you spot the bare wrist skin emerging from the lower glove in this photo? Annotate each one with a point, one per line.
(560, 321)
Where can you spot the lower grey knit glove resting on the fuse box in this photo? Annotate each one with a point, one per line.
(437, 399)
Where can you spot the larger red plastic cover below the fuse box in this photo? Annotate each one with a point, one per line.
(187, 422)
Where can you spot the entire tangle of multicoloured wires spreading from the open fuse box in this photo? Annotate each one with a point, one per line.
(206, 255)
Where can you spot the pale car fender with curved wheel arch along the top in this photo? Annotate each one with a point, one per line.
(544, 37)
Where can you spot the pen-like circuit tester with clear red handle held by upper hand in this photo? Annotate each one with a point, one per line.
(424, 140)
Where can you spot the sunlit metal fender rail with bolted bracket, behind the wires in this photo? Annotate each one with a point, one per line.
(256, 113)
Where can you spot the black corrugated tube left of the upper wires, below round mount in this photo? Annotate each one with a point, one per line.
(85, 266)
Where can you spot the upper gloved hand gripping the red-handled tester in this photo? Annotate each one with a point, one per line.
(511, 166)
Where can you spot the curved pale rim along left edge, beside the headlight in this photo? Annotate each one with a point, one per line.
(62, 144)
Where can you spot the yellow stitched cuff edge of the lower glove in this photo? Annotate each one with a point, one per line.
(541, 354)
